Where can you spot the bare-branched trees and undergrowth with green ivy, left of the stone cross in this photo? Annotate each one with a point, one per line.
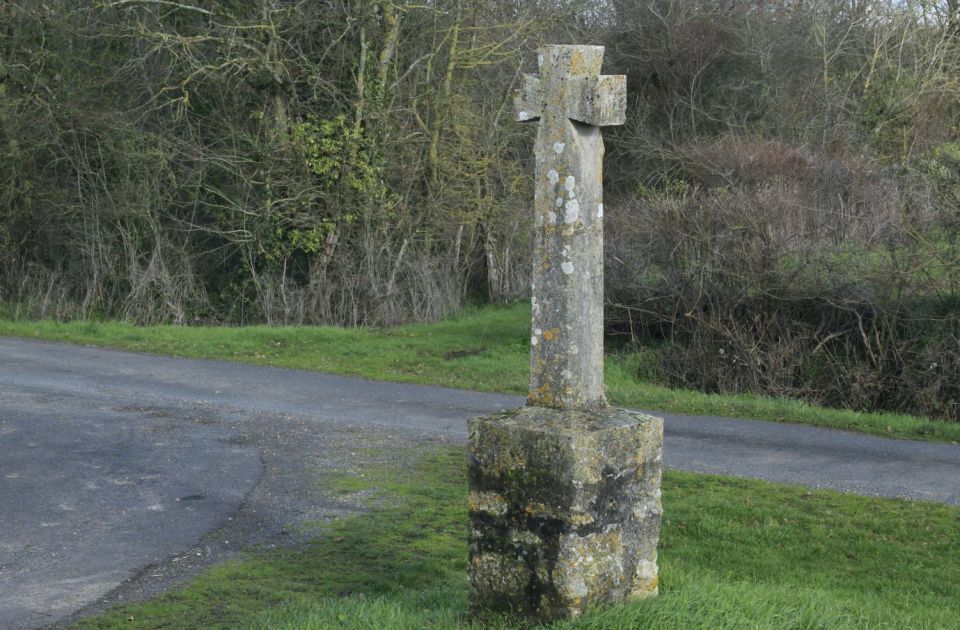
(260, 160)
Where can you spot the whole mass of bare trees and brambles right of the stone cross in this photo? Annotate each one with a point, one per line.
(792, 227)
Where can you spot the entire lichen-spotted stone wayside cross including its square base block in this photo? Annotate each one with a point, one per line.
(564, 501)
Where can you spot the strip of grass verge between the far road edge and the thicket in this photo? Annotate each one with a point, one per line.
(484, 349)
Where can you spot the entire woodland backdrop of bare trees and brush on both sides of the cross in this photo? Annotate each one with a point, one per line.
(784, 202)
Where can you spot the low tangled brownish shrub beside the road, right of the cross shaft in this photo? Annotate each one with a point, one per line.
(791, 274)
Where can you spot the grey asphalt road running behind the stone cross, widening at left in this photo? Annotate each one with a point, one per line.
(120, 471)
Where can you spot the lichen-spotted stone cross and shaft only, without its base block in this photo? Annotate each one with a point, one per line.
(572, 100)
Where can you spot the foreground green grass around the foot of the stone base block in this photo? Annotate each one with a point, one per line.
(734, 554)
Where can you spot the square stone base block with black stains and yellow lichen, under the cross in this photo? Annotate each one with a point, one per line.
(564, 510)
